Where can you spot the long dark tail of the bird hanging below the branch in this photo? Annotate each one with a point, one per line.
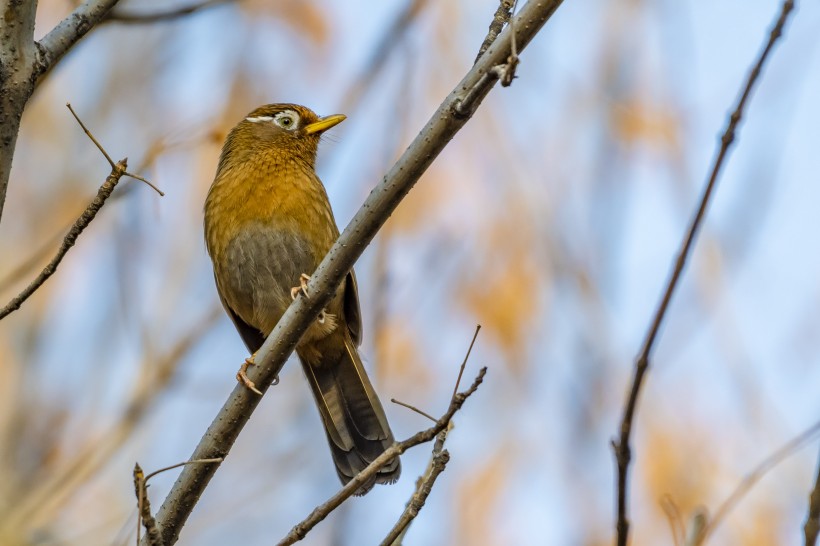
(354, 419)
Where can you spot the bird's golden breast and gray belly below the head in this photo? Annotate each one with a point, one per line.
(265, 225)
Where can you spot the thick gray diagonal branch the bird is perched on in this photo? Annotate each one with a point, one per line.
(451, 116)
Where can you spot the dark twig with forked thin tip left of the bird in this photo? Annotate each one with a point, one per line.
(118, 170)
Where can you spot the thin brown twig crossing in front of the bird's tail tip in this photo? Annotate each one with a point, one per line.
(300, 530)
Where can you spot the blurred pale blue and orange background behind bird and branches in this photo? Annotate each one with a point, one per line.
(552, 220)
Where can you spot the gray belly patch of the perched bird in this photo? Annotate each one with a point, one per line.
(261, 267)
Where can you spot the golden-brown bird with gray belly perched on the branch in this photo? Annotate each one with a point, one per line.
(268, 224)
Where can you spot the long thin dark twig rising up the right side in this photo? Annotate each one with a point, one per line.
(621, 446)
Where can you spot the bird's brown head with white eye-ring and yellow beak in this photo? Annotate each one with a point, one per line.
(287, 129)
